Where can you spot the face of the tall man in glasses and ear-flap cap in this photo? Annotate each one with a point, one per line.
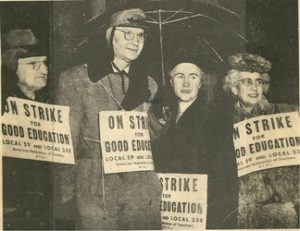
(128, 43)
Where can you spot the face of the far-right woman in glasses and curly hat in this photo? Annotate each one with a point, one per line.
(249, 88)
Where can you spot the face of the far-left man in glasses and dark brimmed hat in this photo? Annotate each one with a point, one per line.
(32, 72)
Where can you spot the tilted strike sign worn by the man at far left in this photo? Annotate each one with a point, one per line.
(36, 131)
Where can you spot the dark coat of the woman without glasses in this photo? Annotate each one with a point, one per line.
(200, 143)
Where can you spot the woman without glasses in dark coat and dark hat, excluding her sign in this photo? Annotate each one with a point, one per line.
(191, 141)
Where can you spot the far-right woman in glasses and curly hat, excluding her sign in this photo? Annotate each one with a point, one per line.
(271, 204)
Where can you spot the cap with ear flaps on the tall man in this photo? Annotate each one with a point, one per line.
(127, 18)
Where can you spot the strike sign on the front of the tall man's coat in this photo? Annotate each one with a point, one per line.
(125, 141)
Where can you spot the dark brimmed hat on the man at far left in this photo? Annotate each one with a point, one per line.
(20, 43)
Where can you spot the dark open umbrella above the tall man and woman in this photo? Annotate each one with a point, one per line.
(213, 30)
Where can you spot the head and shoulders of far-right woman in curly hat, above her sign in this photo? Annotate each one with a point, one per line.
(245, 81)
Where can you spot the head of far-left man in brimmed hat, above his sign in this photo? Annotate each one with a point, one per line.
(25, 70)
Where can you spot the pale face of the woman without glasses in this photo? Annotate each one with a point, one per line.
(186, 81)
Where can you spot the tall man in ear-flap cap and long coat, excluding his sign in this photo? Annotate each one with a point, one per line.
(112, 201)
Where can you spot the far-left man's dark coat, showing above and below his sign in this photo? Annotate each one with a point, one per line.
(27, 184)
